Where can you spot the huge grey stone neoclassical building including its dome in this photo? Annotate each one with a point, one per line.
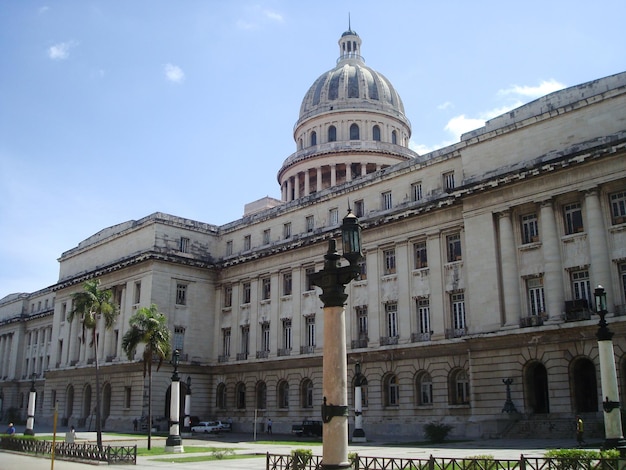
(480, 264)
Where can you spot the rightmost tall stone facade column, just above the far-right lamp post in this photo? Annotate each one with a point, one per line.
(598, 246)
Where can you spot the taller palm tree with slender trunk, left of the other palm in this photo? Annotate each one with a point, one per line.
(91, 305)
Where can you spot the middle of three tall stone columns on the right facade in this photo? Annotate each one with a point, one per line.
(553, 286)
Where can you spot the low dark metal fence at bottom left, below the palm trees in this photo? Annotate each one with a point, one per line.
(73, 451)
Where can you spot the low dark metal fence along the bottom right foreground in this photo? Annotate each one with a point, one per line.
(288, 462)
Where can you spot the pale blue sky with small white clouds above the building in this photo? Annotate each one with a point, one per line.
(113, 110)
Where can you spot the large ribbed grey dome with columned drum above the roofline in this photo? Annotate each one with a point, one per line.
(351, 123)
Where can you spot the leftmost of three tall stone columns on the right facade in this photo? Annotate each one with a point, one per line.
(510, 276)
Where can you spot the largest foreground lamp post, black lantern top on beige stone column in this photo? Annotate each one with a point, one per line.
(332, 279)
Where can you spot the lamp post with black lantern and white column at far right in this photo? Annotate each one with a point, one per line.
(608, 377)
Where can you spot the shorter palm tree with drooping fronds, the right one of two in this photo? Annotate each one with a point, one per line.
(148, 326)
